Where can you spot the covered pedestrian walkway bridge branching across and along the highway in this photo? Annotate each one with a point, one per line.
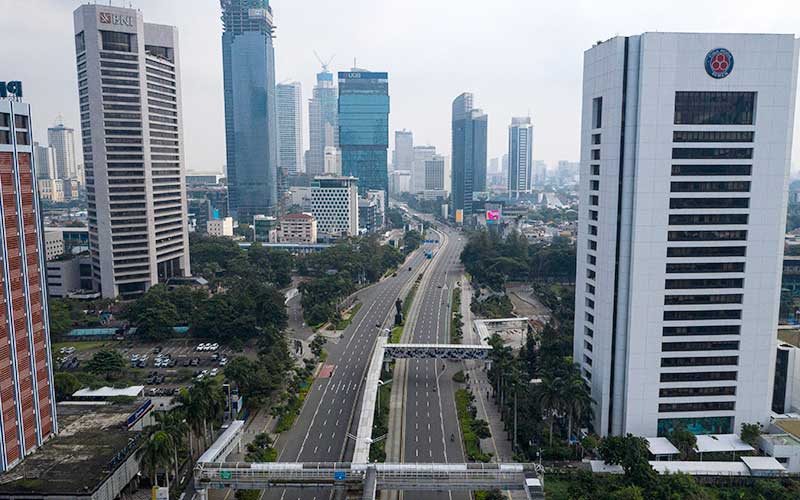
(213, 472)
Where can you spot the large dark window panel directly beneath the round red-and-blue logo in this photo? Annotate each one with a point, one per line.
(714, 108)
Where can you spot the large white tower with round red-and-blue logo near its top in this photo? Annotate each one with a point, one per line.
(685, 149)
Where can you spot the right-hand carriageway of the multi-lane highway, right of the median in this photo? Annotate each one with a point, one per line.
(430, 427)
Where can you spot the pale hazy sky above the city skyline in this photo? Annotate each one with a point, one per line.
(516, 56)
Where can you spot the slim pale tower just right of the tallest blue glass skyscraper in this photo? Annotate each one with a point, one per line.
(289, 97)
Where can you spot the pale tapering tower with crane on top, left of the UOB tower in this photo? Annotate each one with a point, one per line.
(323, 122)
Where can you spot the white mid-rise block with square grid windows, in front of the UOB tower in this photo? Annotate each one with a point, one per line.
(334, 203)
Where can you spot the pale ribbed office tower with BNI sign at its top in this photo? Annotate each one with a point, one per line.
(130, 103)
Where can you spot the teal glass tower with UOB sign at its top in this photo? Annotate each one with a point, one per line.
(364, 127)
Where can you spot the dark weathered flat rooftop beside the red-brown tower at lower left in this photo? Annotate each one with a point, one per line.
(93, 442)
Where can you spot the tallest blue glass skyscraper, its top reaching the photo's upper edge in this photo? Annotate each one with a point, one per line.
(251, 136)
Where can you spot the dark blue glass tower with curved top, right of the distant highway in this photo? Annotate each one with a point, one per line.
(468, 170)
